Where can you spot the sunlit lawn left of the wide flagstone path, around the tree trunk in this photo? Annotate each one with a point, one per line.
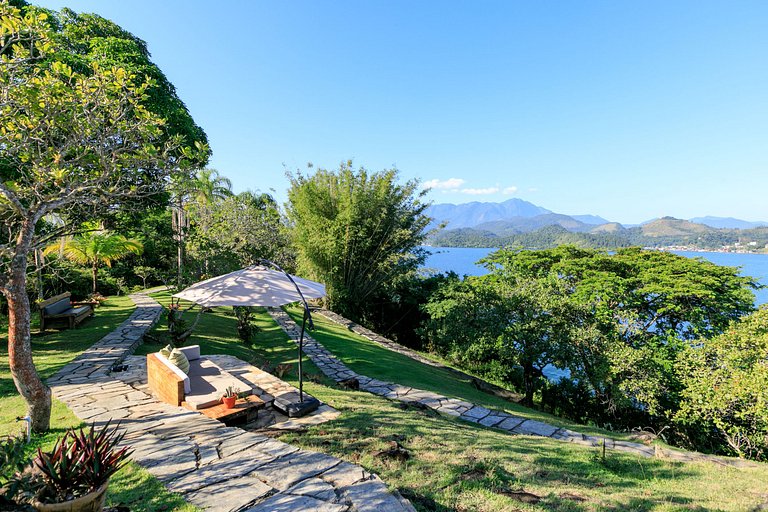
(132, 486)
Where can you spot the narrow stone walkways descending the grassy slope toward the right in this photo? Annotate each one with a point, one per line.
(331, 366)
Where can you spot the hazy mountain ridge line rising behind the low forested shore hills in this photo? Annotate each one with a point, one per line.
(515, 216)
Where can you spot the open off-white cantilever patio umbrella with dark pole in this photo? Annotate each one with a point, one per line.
(258, 285)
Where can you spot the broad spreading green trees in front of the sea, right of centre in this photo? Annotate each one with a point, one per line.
(617, 322)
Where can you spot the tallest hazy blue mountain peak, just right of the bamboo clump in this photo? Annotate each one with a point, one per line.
(469, 215)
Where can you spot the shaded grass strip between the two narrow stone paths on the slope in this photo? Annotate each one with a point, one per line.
(367, 358)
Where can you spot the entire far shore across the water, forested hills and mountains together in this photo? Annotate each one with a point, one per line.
(518, 223)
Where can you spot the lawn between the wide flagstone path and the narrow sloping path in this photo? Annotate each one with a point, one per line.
(454, 465)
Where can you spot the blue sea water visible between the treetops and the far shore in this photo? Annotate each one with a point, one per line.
(463, 261)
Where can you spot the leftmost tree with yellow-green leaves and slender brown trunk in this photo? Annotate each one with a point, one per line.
(75, 142)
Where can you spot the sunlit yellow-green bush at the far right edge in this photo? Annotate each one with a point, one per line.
(725, 381)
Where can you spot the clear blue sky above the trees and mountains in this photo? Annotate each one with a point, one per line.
(628, 110)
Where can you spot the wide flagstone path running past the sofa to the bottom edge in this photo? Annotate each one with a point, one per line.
(213, 466)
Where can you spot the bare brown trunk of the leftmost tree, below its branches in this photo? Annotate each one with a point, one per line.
(28, 382)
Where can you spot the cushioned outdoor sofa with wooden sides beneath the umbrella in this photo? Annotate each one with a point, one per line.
(202, 387)
